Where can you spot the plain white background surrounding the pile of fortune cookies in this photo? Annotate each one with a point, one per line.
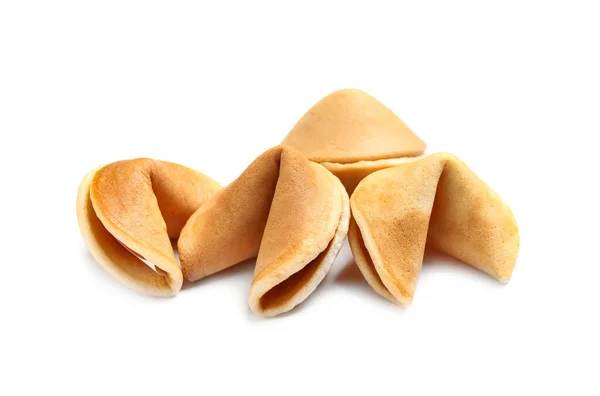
(512, 88)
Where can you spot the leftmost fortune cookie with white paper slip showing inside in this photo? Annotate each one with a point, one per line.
(128, 211)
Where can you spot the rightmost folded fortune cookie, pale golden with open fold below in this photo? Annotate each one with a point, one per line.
(435, 201)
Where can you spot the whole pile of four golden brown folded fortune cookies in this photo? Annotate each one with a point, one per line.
(349, 167)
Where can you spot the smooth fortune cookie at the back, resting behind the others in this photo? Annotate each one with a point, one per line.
(353, 135)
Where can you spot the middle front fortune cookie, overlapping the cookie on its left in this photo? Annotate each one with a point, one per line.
(291, 213)
